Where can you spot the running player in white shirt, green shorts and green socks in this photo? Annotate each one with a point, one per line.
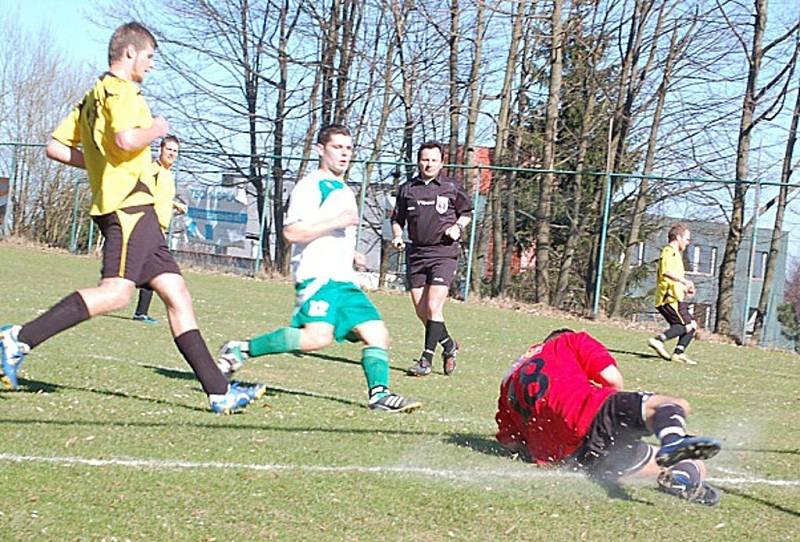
(320, 224)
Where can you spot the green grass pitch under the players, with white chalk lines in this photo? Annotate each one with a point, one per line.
(109, 436)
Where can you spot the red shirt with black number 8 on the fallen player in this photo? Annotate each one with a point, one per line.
(549, 399)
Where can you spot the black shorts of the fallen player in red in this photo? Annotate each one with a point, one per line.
(613, 445)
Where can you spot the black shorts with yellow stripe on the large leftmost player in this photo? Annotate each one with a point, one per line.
(135, 248)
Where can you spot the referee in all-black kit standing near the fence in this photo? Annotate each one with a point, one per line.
(437, 211)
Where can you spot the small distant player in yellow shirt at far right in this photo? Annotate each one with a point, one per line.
(672, 287)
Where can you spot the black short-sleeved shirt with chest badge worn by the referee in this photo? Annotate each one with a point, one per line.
(429, 209)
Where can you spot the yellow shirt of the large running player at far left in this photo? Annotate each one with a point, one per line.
(111, 106)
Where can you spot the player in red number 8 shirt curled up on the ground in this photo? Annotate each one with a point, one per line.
(562, 403)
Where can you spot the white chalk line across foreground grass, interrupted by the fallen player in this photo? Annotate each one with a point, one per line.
(462, 474)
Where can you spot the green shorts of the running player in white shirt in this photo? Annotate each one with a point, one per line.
(340, 304)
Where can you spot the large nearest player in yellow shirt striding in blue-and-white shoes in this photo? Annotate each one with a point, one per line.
(109, 134)
